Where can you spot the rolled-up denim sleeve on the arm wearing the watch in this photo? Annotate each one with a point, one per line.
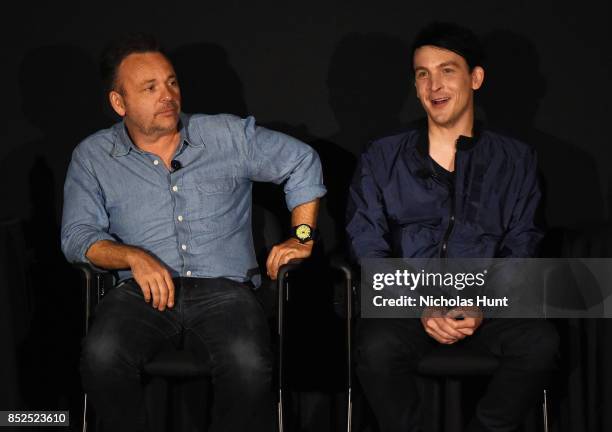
(275, 157)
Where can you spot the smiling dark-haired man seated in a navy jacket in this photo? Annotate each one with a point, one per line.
(448, 189)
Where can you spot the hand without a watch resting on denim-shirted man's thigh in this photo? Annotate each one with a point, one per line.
(153, 278)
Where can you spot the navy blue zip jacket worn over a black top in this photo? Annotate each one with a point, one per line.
(399, 206)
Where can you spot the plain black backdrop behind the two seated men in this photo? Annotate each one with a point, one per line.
(334, 75)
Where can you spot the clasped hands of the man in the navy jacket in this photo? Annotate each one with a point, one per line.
(443, 325)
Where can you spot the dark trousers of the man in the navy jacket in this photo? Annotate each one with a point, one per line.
(388, 351)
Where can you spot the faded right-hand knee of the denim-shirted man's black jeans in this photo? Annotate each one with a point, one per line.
(249, 361)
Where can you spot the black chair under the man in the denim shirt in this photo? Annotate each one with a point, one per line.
(175, 372)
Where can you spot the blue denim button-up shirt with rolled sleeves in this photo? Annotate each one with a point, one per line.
(197, 219)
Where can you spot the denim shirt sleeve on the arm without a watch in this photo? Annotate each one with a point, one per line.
(84, 218)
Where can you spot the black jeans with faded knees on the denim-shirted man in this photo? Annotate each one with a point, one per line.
(228, 325)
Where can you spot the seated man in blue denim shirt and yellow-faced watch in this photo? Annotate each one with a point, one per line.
(165, 199)
